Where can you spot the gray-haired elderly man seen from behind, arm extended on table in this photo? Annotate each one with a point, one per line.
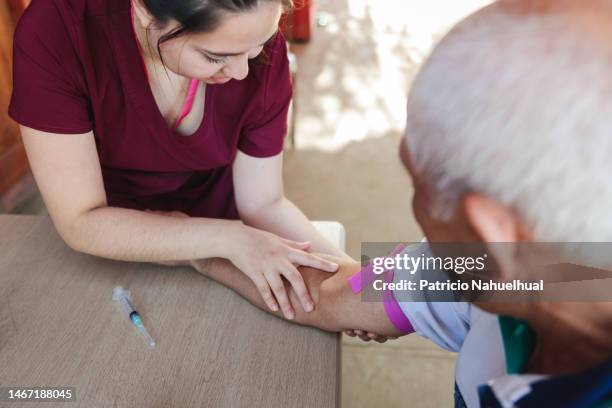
(508, 140)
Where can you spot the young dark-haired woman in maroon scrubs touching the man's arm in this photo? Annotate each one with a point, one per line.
(166, 106)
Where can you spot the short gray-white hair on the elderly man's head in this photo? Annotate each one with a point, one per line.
(516, 103)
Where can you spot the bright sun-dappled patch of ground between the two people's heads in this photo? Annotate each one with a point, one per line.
(355, 74)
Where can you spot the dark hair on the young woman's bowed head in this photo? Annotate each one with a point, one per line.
(197, 16)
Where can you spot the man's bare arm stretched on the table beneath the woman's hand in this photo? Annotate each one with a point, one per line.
(337, 308)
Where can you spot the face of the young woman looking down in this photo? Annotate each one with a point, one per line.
(219, 56)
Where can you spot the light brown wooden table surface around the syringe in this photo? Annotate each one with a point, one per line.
(59, 327)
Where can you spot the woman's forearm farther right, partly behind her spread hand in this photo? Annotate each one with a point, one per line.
(285, 219)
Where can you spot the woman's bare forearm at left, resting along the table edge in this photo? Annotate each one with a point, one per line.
(132, 235)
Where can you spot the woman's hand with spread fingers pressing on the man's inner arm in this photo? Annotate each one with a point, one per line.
(265, 258)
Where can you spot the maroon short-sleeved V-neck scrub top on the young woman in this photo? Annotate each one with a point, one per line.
(77, 68)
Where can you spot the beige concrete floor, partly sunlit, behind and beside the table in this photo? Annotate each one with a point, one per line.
(351, 94)
